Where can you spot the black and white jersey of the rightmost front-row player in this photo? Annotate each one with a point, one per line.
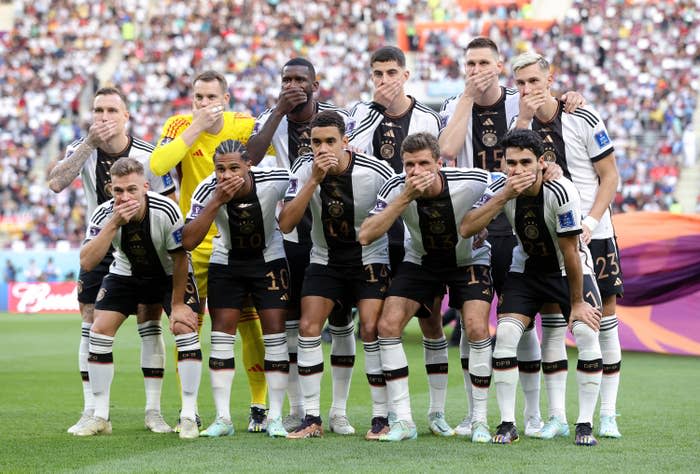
(538, 221)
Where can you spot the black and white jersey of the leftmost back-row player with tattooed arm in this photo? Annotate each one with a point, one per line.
(95, 172)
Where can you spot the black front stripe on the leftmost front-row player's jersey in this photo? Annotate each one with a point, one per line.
(137, 245)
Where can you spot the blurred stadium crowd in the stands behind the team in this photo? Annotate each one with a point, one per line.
(637, 62)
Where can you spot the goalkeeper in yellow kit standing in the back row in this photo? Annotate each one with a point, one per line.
(187, 143)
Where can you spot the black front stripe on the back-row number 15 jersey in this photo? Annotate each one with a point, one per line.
(489, 124)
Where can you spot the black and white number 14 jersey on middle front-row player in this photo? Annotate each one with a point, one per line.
(338, 206)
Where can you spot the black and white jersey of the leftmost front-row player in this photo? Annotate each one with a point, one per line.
(142, 248)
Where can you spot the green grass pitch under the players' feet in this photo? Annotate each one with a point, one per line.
(40, 396)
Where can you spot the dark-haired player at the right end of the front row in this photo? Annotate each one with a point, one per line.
(550, 265)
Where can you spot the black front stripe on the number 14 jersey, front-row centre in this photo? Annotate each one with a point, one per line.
(338, 218)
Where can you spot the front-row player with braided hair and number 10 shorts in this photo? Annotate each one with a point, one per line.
(248, 259)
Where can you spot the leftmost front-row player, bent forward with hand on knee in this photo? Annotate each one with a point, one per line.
(149, 266)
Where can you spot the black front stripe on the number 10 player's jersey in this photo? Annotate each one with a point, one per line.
(246, 226)
